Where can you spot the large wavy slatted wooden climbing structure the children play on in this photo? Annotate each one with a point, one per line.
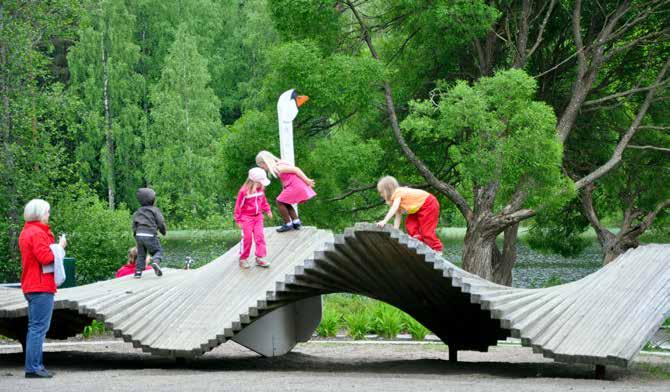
(603, 319)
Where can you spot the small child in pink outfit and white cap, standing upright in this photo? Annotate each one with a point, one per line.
(249, 208)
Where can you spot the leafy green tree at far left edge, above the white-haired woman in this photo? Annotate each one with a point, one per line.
(31, 107)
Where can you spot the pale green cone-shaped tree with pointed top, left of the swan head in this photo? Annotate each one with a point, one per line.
(182, 141)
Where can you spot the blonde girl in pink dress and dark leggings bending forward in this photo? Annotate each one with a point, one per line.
(297, 188)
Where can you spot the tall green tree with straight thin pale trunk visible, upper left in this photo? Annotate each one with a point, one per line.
(102, 65)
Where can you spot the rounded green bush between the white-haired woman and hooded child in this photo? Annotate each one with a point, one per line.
(98, 238)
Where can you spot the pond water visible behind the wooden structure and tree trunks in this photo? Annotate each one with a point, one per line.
(532, 269)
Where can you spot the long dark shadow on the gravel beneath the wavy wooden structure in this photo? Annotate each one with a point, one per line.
(72, 361)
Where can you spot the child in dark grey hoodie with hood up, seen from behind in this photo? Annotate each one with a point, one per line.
(147, 221)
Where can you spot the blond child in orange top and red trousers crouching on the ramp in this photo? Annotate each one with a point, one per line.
(422, 208)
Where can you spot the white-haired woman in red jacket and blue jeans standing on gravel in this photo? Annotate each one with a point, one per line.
(38, 286)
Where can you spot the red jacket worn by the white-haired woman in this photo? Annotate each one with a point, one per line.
(34, 244)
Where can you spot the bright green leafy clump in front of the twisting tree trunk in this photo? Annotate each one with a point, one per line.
(498, 133)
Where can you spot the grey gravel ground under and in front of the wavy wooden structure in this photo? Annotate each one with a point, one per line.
(109, 365)
